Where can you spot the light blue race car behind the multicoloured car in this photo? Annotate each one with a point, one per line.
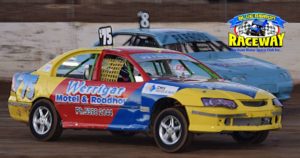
(215, 54)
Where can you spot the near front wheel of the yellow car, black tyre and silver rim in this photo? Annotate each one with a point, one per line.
(171, 130)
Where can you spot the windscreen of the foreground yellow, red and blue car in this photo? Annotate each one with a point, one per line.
(158, 65)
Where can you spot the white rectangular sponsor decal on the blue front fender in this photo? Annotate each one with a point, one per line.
(159, 89)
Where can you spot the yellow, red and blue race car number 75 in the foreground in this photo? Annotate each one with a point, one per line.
(127, 90)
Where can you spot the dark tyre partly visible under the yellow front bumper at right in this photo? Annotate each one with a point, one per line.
(250, 137)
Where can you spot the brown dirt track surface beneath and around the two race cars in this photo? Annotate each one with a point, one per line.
(16, 140)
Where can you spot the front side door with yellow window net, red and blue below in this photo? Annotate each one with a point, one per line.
(124, 82)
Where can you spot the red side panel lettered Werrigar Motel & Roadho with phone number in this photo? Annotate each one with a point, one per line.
(77, 114)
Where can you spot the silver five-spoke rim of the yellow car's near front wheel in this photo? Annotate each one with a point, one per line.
(170, 130)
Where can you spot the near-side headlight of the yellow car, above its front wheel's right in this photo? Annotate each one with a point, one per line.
(219, 102)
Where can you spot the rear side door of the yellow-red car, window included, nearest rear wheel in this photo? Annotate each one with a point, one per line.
(72, 95)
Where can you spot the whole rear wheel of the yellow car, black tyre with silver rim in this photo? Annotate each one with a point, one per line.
(44, 121)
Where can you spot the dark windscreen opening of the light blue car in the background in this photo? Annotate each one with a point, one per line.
(205, 46)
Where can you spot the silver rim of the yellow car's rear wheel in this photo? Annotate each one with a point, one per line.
(42, 120)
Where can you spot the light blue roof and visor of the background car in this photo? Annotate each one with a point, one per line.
(170, 36)
